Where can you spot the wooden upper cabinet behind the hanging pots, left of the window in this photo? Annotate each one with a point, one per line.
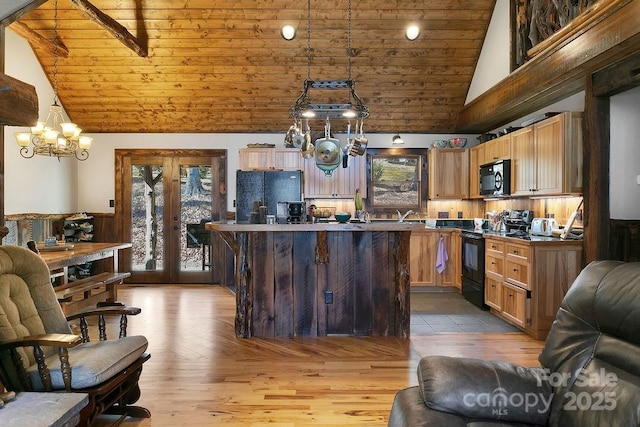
(342, 184)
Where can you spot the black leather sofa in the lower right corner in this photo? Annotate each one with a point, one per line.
(589, 372)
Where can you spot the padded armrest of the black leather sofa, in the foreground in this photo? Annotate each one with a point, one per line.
(485, 389)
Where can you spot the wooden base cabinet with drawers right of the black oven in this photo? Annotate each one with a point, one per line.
(525, 281)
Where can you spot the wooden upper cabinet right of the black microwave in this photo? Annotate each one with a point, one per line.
(546, 157)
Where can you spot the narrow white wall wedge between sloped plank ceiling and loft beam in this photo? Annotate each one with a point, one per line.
(493, 63)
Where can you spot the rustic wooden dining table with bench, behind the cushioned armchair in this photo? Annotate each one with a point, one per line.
(92, 290)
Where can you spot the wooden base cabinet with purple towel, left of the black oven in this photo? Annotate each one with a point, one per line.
(423, 255)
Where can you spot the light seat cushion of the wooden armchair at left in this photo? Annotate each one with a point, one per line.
(92, 363)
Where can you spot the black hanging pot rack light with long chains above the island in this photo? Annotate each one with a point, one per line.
(304, 108)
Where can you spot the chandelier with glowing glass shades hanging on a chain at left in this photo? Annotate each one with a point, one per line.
(54, 137)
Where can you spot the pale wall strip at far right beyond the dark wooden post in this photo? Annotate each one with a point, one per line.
(624, 162)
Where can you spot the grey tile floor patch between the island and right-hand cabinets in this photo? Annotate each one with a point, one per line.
(447, 312)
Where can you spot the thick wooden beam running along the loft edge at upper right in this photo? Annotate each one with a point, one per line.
(558, 72)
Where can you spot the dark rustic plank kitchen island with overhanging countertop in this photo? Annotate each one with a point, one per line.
(308, 280)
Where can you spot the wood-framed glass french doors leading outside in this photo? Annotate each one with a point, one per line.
(163, 200)
